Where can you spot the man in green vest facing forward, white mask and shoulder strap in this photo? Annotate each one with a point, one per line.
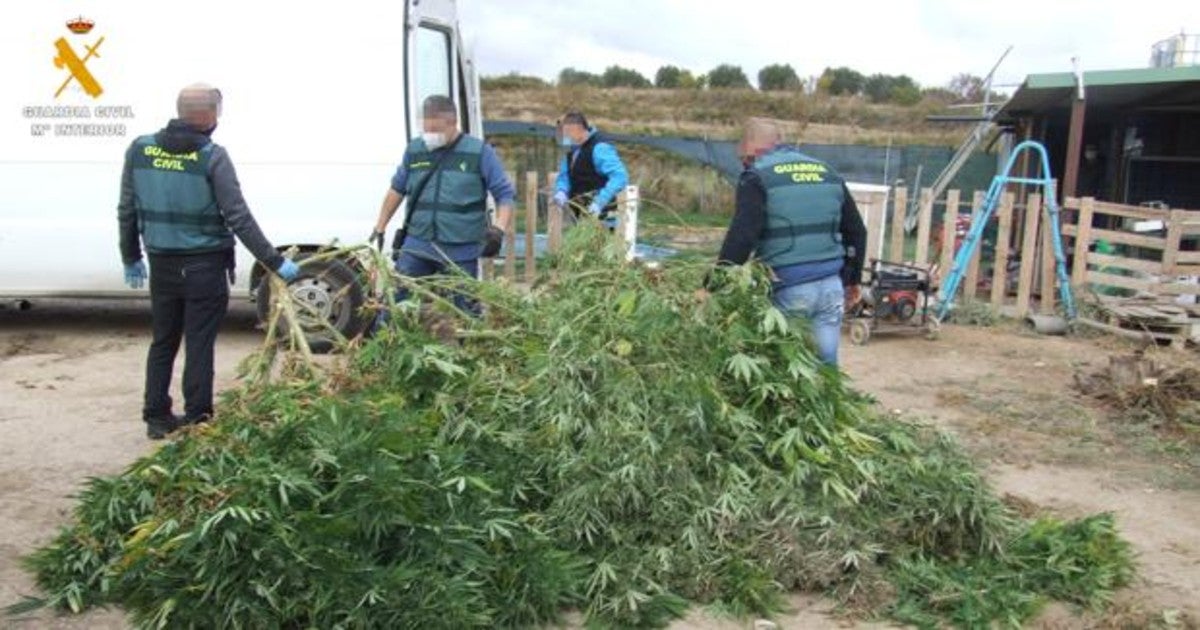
(446, 176)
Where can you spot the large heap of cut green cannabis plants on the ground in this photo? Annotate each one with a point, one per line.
(609, 442)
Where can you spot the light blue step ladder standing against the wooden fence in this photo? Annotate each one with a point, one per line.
(963, 259)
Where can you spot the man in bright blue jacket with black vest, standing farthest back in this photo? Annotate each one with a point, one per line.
(591, 176)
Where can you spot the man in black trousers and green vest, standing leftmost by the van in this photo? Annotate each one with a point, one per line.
(181, 199)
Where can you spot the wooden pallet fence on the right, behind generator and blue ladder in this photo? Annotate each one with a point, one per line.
(1153, 250)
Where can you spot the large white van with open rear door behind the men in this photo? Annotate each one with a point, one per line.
(320, 104)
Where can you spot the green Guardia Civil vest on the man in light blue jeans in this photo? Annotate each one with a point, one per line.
(805, 200)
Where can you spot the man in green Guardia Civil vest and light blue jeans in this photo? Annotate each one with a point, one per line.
(796, 215)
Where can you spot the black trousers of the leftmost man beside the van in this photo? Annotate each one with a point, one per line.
(189, 296)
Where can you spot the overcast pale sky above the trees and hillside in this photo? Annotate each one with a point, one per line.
(928, 40)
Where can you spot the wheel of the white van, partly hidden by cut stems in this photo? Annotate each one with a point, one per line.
(327, 291)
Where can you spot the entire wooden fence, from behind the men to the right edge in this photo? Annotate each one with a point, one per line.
(1013, 269)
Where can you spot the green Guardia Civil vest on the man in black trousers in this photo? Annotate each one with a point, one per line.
(177, 211)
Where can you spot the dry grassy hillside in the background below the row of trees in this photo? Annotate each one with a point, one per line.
(695, 194)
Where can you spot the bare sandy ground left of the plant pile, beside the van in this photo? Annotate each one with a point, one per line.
(70, 409)
